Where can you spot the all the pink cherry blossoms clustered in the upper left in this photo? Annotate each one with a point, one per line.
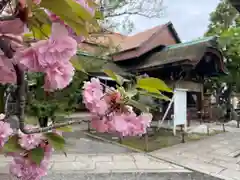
(51, 56)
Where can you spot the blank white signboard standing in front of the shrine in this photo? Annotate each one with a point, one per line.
(180, 108)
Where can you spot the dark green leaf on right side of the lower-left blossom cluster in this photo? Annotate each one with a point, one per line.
(57, 141)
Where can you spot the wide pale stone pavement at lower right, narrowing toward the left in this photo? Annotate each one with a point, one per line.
(217, 155)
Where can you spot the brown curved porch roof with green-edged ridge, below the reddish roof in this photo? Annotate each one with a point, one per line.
(187, 53)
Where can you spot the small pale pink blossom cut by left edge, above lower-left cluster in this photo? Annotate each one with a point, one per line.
(5, 132)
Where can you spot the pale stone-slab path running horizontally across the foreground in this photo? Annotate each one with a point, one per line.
(104, 163)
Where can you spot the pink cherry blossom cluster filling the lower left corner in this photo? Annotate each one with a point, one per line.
(22, 166)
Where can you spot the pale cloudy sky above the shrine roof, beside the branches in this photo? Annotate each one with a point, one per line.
(189, 17)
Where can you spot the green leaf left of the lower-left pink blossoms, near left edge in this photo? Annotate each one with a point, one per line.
(12, 145)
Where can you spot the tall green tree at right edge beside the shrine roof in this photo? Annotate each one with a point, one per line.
(225, 23)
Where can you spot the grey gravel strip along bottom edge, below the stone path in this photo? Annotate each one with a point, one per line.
(132, 176)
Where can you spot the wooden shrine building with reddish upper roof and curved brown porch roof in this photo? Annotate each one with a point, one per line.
(160, 53)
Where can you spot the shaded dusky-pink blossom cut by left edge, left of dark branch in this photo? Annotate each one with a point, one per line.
(8, 74)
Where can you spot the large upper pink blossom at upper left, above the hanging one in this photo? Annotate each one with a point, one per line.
(46, 53)
